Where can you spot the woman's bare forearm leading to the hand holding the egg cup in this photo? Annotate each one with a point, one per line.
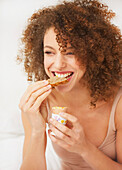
(98, 160)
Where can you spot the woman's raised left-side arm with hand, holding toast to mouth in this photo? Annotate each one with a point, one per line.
(34, 117)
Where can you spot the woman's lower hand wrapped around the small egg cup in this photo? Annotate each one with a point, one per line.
(72, 139)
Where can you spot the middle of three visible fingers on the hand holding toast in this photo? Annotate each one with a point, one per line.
(36, 94)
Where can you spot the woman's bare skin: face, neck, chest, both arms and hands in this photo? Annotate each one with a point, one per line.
(85, 123)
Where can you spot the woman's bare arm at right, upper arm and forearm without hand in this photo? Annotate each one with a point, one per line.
(98, 160)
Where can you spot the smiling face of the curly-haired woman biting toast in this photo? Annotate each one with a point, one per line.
(61, 64)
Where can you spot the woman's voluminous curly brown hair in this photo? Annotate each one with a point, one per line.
(86, 25)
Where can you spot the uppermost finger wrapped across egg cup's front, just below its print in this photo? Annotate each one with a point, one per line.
(61, 127)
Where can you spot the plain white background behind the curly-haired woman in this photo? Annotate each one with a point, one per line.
(13, 18)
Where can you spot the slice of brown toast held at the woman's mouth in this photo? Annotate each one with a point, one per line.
(55, 81)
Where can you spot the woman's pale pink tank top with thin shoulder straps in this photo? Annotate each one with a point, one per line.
(72, 161)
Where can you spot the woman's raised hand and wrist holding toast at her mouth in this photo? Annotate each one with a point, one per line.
(32, 104)
